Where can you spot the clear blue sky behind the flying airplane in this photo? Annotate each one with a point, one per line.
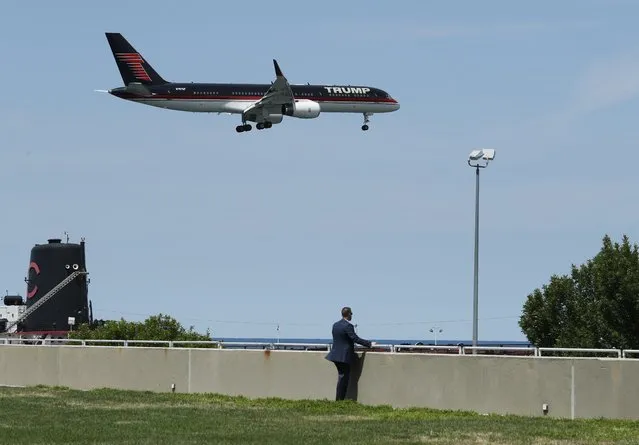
(239, 232)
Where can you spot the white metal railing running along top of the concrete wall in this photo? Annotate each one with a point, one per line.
(502, 351)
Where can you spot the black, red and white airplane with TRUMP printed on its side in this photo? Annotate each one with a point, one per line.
(264, 104)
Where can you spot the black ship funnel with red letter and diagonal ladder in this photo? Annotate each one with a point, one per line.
(48, 266)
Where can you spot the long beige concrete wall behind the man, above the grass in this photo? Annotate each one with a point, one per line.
(572, 387)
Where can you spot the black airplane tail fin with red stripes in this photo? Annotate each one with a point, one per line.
(132, 66)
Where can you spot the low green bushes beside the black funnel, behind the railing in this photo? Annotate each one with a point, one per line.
(156, 327)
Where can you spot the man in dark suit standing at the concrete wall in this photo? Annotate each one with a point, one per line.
(343, 351)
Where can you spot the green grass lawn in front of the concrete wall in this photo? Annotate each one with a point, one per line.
(41, 415)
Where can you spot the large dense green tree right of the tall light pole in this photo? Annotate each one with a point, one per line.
(596, 306)
